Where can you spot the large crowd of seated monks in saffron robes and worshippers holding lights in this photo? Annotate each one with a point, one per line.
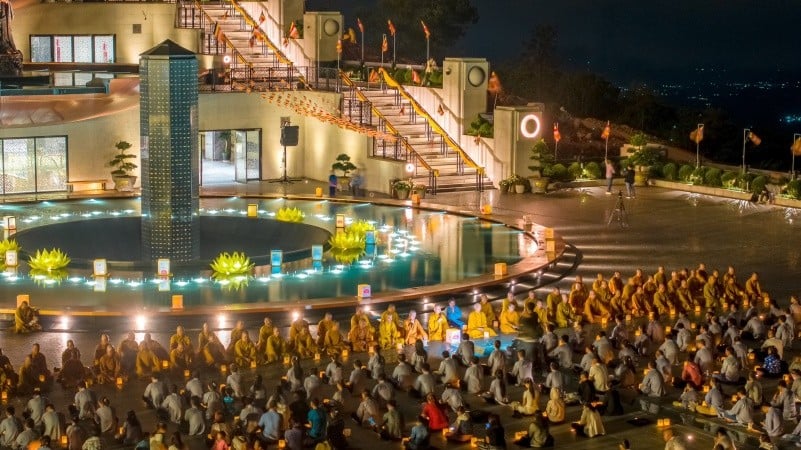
(706, 341)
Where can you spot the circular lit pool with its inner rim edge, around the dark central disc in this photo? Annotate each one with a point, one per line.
(419, 252)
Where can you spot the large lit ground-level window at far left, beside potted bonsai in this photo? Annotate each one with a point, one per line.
(33, 164)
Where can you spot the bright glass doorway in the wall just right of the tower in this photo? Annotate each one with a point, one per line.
(229, 156)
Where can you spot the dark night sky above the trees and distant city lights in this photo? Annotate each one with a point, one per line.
(636, 40)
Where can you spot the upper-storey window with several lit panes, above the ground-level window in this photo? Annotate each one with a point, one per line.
(73, 48)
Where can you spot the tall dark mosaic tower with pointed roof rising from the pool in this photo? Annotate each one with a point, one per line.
(169, 146)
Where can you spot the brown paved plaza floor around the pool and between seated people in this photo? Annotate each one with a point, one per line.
(661, 227)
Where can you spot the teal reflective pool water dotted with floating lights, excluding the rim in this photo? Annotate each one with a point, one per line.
(430, 248)
